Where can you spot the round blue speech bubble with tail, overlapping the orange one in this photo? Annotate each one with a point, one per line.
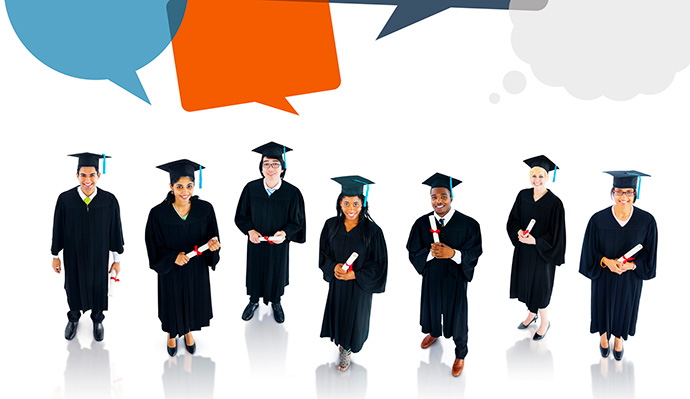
(97, 39)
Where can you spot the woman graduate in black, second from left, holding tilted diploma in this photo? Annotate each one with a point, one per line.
(182, 224)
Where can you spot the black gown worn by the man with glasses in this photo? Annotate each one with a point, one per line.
(267, 264)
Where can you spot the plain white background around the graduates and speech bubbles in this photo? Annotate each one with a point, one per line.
(409, 105)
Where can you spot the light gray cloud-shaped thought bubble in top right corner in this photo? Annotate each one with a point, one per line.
(612, 48)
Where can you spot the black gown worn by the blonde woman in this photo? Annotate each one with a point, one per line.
(534, 266)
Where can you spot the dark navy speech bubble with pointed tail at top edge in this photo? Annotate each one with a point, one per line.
(409, 12)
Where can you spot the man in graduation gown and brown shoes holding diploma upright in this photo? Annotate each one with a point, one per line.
(446, 267)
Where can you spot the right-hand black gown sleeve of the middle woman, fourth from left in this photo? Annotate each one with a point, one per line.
(371, 276)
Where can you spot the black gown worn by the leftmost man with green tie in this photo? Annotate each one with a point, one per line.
(87, 234)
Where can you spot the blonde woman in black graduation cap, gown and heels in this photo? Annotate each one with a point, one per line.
(539, 250)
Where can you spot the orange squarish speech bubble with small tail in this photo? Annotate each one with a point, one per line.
(230, 52)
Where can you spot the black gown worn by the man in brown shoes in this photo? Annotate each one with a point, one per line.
(444, 282)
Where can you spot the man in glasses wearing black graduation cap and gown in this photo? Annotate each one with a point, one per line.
(270, 207)
